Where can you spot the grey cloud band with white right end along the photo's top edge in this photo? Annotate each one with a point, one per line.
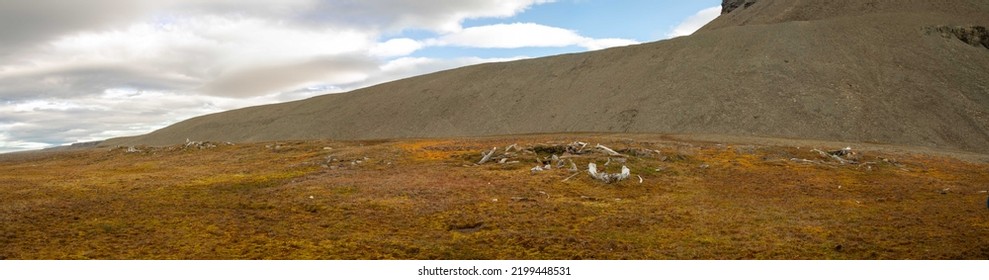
(24, 24)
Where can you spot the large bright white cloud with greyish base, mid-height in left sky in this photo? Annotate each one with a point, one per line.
(188, 55)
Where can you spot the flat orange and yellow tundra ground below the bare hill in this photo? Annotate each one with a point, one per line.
(428, 199)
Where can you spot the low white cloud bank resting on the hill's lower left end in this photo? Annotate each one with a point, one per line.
(34, 124)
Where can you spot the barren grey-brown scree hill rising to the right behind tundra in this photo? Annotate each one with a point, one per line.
(903, 72)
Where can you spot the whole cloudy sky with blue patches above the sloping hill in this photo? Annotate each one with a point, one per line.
(78, 71)
